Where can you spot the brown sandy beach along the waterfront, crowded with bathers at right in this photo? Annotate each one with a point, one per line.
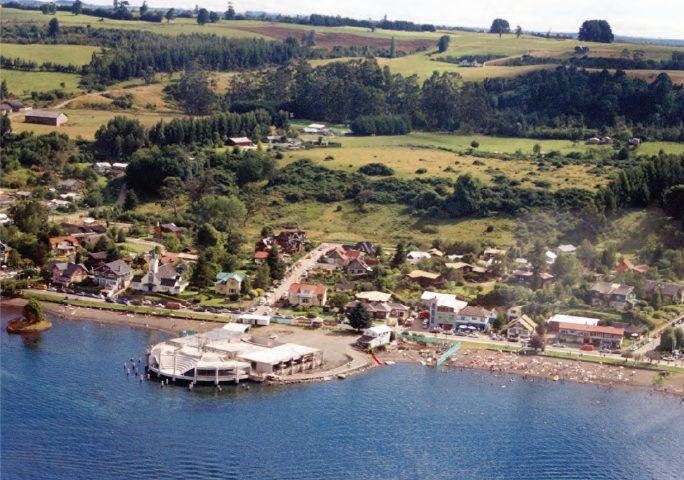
(492, 360)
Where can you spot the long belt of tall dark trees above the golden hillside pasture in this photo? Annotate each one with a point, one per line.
(561, 102)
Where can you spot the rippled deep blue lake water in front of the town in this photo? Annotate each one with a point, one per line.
(69, 412)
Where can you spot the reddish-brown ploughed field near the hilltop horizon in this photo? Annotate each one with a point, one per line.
(332, 39)
